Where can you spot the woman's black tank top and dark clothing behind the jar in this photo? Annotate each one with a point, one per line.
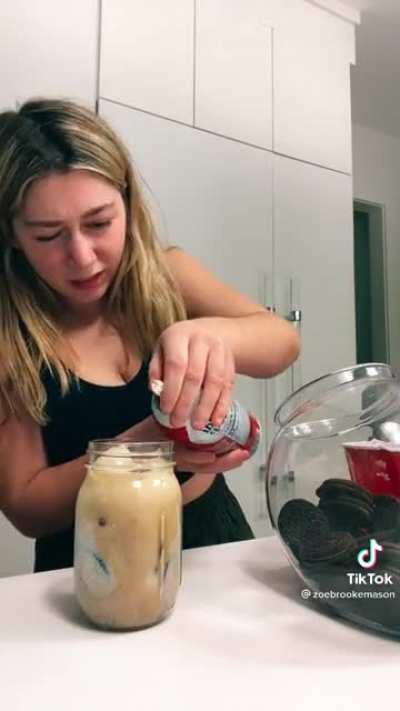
(90, 411)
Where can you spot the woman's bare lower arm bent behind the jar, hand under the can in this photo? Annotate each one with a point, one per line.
(40, 500)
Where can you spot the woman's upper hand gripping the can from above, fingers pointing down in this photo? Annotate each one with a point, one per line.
(193, 362)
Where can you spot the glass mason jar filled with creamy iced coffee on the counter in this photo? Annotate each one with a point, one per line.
(127, 558)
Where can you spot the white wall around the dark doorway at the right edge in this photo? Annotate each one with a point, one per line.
(376, 176)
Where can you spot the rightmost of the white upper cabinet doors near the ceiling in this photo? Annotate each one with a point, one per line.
(313, 51)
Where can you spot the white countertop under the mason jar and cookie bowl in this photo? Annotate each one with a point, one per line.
(240, 637)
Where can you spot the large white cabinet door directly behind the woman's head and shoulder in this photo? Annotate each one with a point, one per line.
(215, 198)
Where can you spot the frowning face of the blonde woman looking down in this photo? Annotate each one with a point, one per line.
(71, 229)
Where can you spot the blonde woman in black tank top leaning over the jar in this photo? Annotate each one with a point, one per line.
(92, 308)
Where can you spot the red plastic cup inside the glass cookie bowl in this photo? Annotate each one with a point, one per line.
(376, 469)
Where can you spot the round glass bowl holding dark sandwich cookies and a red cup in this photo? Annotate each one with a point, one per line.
(333, 490)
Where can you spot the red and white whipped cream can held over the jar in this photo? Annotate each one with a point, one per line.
(239, 429)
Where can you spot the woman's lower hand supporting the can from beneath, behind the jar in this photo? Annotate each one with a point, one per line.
(187, 460)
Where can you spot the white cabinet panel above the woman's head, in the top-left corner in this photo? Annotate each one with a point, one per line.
(48, 49)
